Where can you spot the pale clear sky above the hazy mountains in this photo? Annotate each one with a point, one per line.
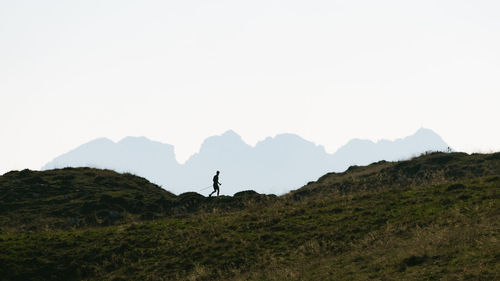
(180, 71)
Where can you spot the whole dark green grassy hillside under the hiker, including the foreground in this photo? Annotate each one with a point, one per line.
(434, 217)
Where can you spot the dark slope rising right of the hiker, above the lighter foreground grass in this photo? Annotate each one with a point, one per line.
(432, 168)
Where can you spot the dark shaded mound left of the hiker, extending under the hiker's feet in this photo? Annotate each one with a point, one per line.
(85, 197)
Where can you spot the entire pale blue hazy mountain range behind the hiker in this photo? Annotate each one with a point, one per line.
(274, 165)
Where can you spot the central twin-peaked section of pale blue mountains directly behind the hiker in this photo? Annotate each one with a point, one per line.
(274, 165)
